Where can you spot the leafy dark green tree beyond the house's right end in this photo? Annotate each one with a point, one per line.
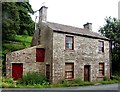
(112, 31)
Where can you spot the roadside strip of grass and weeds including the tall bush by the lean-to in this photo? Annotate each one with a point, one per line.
(27, 83)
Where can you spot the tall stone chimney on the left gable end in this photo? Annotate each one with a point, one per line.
(43, 14)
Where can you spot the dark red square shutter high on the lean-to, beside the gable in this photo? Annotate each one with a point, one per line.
(40, 53)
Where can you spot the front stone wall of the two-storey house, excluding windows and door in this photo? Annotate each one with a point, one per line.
(85, 53)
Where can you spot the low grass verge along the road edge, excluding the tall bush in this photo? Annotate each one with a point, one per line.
(9, 83)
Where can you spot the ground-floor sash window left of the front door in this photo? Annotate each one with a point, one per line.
(69, 70)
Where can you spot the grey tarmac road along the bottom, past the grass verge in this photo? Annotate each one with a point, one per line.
(96, 88)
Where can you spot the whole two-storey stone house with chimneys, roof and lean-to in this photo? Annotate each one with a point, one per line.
(62, 52)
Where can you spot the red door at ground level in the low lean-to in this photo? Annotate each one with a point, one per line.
(17, 70)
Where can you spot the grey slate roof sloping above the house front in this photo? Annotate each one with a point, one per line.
(74, 30)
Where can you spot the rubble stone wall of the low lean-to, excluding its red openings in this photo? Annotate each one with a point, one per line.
(27, 57)
